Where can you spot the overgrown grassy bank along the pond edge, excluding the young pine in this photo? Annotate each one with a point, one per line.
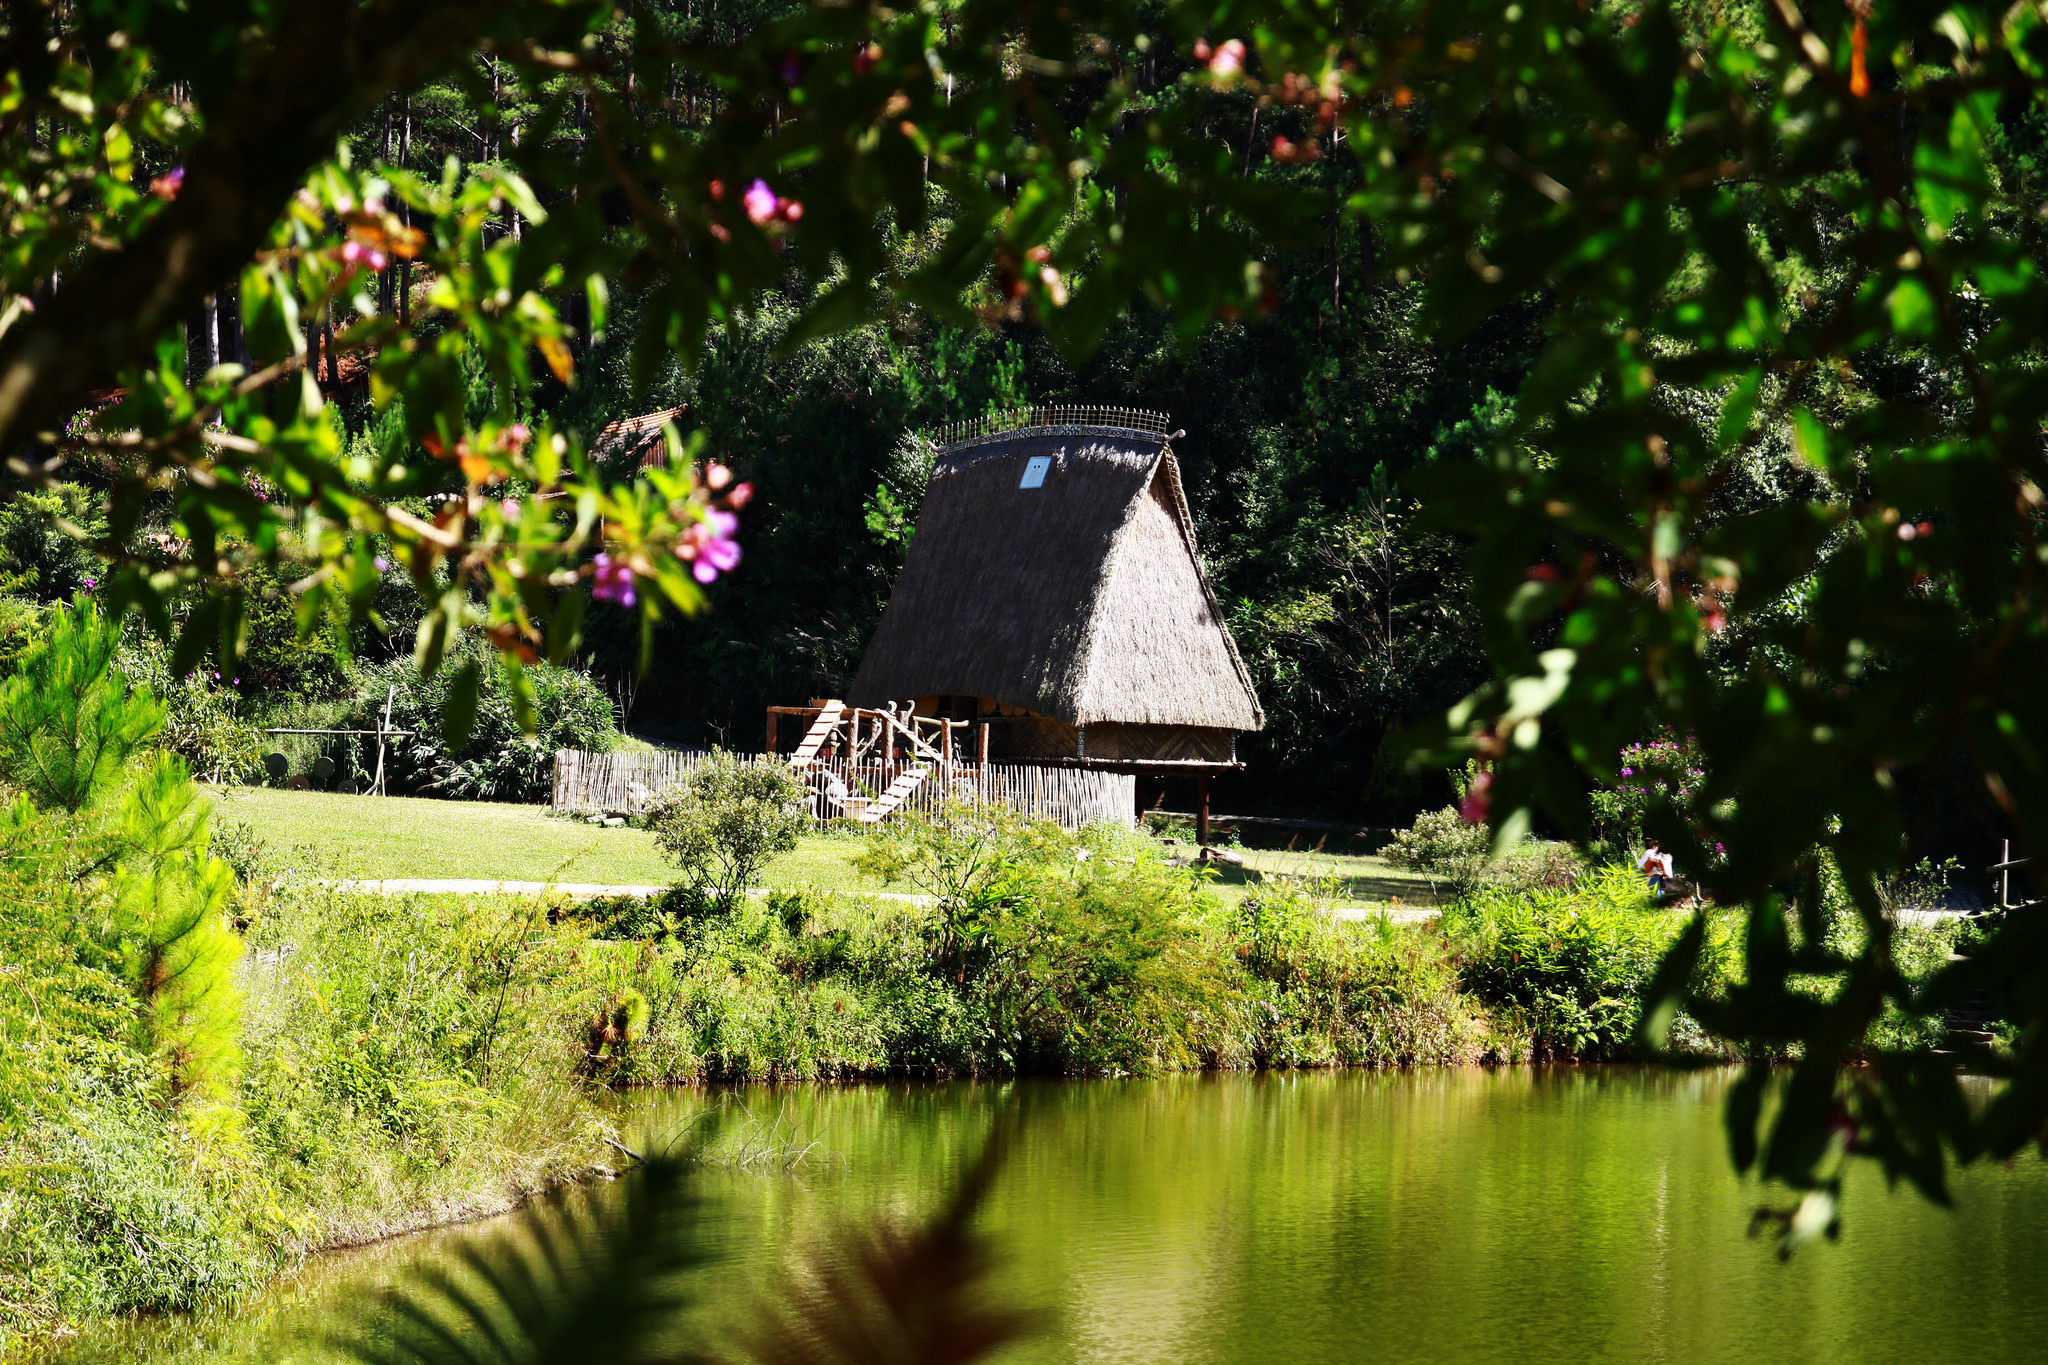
(413, 1059)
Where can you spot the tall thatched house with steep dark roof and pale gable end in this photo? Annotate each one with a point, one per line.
(1054, 592)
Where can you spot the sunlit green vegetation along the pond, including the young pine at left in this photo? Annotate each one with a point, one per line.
(212, 1069)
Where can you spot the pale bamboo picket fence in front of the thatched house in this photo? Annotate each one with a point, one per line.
(841, 791)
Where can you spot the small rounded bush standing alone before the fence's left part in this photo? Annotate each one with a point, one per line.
(726, 822)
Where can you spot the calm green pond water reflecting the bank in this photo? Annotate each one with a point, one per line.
(1519, 1217)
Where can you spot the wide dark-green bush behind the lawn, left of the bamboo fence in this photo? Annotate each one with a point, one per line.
(499, 760)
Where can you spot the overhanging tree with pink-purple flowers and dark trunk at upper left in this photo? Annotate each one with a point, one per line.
(155, 159)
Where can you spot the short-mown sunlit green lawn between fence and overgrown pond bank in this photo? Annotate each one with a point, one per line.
(404, 836)
